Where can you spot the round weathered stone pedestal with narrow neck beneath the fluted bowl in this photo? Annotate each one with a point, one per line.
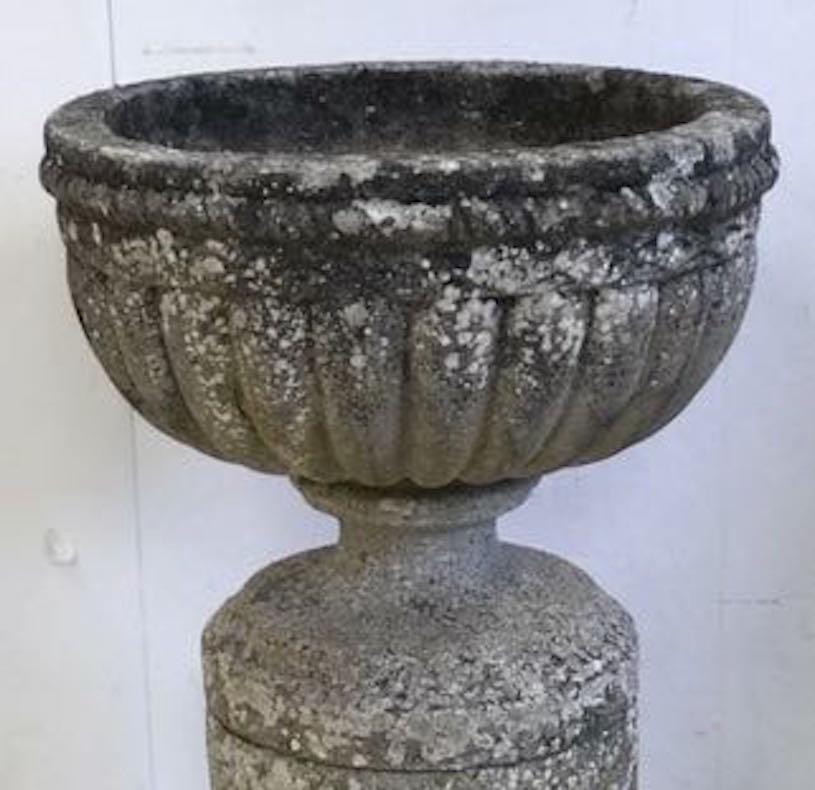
(421, 652)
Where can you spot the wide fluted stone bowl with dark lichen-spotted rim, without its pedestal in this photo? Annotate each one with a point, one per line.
(425, 272)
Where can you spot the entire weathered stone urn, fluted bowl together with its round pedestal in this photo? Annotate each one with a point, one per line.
(414, 288)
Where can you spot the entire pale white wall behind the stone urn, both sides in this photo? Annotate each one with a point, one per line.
(704, 532)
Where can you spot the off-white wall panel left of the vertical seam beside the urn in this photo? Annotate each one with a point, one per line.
(72, 705)
